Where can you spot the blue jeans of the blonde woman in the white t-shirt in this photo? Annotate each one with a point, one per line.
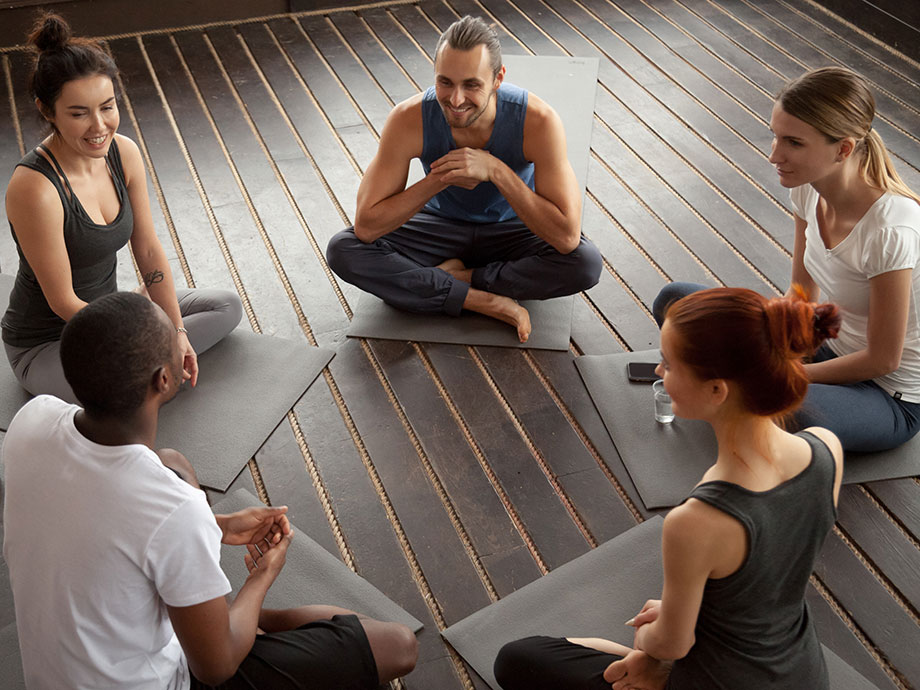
(862, 415)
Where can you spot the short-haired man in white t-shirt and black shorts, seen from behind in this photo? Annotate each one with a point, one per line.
(114, 559)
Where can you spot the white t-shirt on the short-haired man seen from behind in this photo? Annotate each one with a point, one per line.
(98, 540)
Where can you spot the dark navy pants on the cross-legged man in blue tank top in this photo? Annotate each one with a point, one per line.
(507, 258)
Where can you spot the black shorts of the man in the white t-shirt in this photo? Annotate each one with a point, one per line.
(321, 655)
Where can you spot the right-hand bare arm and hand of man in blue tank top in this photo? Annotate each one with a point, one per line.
(552, 210)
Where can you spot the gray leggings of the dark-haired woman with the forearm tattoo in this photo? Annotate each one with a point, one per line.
(209, 315)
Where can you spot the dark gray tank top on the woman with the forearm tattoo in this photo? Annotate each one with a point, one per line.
(91, 249)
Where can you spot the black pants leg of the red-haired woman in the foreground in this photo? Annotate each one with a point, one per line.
(551, 663)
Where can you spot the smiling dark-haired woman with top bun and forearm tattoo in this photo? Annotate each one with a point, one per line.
(72, 203)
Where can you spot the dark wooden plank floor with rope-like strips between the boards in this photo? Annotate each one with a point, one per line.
(451, 476)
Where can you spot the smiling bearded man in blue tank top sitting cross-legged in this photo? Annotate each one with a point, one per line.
(497, 217)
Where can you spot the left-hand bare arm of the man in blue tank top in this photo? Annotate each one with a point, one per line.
(384, 201)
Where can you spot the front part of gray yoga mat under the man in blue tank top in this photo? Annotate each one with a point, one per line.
(550, 319)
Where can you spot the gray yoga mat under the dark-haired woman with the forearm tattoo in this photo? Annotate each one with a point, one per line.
(248, 384)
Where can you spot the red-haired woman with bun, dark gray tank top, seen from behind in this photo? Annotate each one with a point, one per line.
(739, 550)
